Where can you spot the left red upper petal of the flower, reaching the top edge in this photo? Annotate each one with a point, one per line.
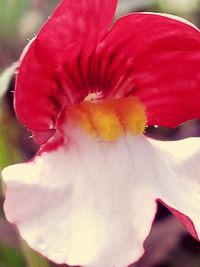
(41, 91)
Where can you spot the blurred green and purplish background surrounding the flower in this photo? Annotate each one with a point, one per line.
(168, 244)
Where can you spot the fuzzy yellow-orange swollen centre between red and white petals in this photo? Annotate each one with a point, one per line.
(110, 119)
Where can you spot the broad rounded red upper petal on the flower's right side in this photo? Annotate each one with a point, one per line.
(162, 67)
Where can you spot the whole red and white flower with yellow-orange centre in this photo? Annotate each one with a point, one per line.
(87, 91)
